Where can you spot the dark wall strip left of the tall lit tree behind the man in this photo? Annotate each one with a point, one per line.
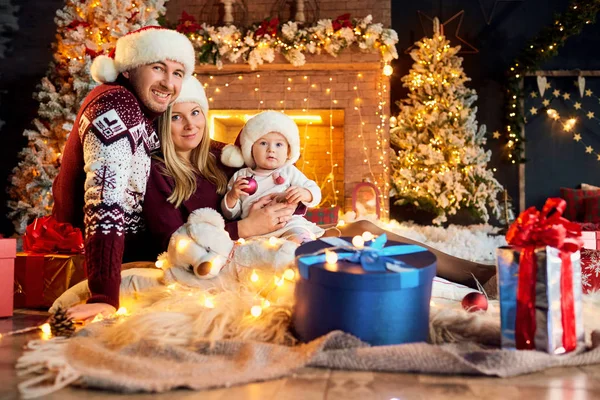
(20, 72)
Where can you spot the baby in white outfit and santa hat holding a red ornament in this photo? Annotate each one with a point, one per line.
(269, 145)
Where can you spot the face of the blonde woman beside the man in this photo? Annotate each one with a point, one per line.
(187, 127)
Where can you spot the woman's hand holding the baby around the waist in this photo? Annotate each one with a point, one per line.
(265, 216)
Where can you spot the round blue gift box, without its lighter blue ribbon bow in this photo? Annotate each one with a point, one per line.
(378, 307)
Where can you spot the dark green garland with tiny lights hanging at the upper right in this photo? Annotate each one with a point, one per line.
(540, 49)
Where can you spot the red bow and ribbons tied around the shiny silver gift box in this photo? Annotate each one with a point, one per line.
(535, 229)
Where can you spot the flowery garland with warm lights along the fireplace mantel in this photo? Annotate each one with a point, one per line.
(259, 43)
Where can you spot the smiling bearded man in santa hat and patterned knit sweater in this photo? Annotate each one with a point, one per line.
(106, 160)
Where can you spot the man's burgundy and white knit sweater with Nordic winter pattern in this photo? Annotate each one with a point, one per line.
(102, 181)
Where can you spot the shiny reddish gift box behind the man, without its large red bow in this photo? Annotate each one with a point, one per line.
(42, 278)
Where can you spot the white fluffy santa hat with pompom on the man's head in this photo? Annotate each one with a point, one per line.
(144, 46)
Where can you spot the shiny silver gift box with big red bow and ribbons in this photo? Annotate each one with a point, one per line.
(539, 282)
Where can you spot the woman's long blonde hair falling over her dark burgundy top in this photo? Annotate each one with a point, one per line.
(184, 172)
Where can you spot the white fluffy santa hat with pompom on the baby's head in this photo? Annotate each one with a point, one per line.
(240, 153)
